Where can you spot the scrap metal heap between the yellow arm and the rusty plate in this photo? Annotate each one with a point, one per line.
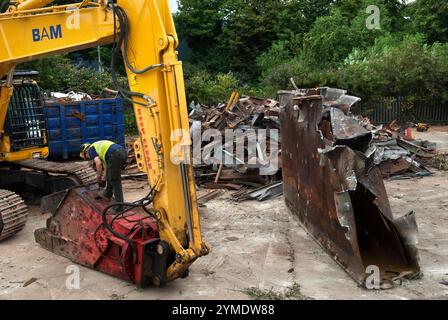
(246, 117)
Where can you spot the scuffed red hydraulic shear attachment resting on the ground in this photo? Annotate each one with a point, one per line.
(76, 231)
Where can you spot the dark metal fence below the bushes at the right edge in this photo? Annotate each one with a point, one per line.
(405, 110)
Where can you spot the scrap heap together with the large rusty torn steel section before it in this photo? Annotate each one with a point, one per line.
(331, 169)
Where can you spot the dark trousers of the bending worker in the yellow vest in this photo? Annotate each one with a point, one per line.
(114, 164)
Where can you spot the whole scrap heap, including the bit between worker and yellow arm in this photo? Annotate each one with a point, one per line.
(390, 147)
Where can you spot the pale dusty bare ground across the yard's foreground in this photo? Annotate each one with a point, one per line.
(254, 245)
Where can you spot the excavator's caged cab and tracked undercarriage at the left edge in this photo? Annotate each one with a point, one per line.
(24, 172)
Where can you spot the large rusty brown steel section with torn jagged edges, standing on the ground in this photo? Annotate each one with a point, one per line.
(338, 193)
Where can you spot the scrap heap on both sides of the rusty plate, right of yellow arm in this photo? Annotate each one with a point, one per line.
(391, 147)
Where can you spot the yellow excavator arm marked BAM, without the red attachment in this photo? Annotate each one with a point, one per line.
(144, 32)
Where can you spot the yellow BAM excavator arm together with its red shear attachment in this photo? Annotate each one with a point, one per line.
(156, 239)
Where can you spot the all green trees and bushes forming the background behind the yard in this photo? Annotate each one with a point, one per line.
(256, 46)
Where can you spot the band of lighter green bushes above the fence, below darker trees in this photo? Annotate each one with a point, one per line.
(396, 65)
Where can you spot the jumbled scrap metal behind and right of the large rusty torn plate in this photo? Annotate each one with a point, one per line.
(391, 147)
